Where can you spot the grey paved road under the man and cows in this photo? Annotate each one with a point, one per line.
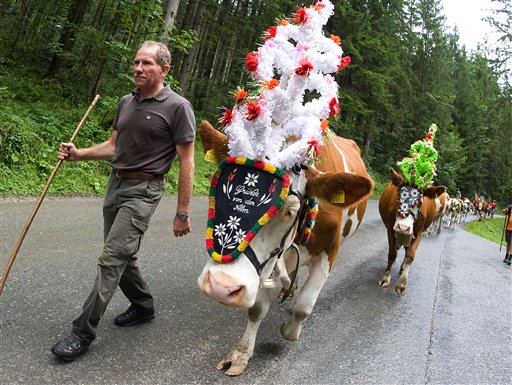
(452, 327)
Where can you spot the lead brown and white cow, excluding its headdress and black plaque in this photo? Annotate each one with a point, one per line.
(338, 169)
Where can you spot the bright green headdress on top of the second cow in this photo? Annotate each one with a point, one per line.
(420, 167)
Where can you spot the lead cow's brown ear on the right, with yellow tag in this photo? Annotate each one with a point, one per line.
(341, 189)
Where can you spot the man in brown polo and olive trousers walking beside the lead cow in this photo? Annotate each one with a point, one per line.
(152, 125)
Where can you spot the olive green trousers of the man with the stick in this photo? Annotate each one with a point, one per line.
(127, 209)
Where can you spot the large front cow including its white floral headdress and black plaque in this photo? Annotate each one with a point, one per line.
(287, 190)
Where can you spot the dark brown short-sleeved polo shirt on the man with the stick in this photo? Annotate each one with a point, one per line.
(148, 131)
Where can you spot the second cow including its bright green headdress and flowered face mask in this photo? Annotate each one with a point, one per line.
(408, 205)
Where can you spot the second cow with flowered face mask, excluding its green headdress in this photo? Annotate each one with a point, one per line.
(405, 222)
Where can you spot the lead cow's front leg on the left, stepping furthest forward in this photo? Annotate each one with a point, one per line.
(236, 361)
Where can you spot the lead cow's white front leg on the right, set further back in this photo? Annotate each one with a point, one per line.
(306, 299)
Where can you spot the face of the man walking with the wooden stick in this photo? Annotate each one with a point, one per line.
(146, 70)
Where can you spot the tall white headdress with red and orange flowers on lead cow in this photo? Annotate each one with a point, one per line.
(284, 121)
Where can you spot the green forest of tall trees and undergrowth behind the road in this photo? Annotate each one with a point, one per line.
(407, 70)
